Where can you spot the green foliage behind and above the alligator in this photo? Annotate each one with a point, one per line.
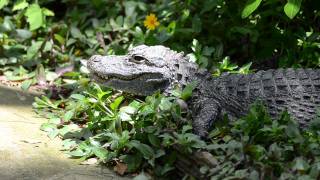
(59, 34)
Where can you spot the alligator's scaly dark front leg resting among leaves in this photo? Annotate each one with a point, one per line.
(204, 114)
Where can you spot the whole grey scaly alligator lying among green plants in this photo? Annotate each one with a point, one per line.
(147, 69)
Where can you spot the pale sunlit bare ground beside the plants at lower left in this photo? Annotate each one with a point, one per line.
(27, 153)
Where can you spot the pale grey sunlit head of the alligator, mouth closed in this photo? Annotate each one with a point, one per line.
(144, 70)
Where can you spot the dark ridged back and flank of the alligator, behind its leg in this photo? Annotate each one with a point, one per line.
(297, 90)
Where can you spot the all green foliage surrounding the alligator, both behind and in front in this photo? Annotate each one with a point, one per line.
(44, 42)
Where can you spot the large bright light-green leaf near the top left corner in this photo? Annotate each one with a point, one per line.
(34, 16)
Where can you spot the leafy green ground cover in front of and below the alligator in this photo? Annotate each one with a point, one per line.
(141, 135)
